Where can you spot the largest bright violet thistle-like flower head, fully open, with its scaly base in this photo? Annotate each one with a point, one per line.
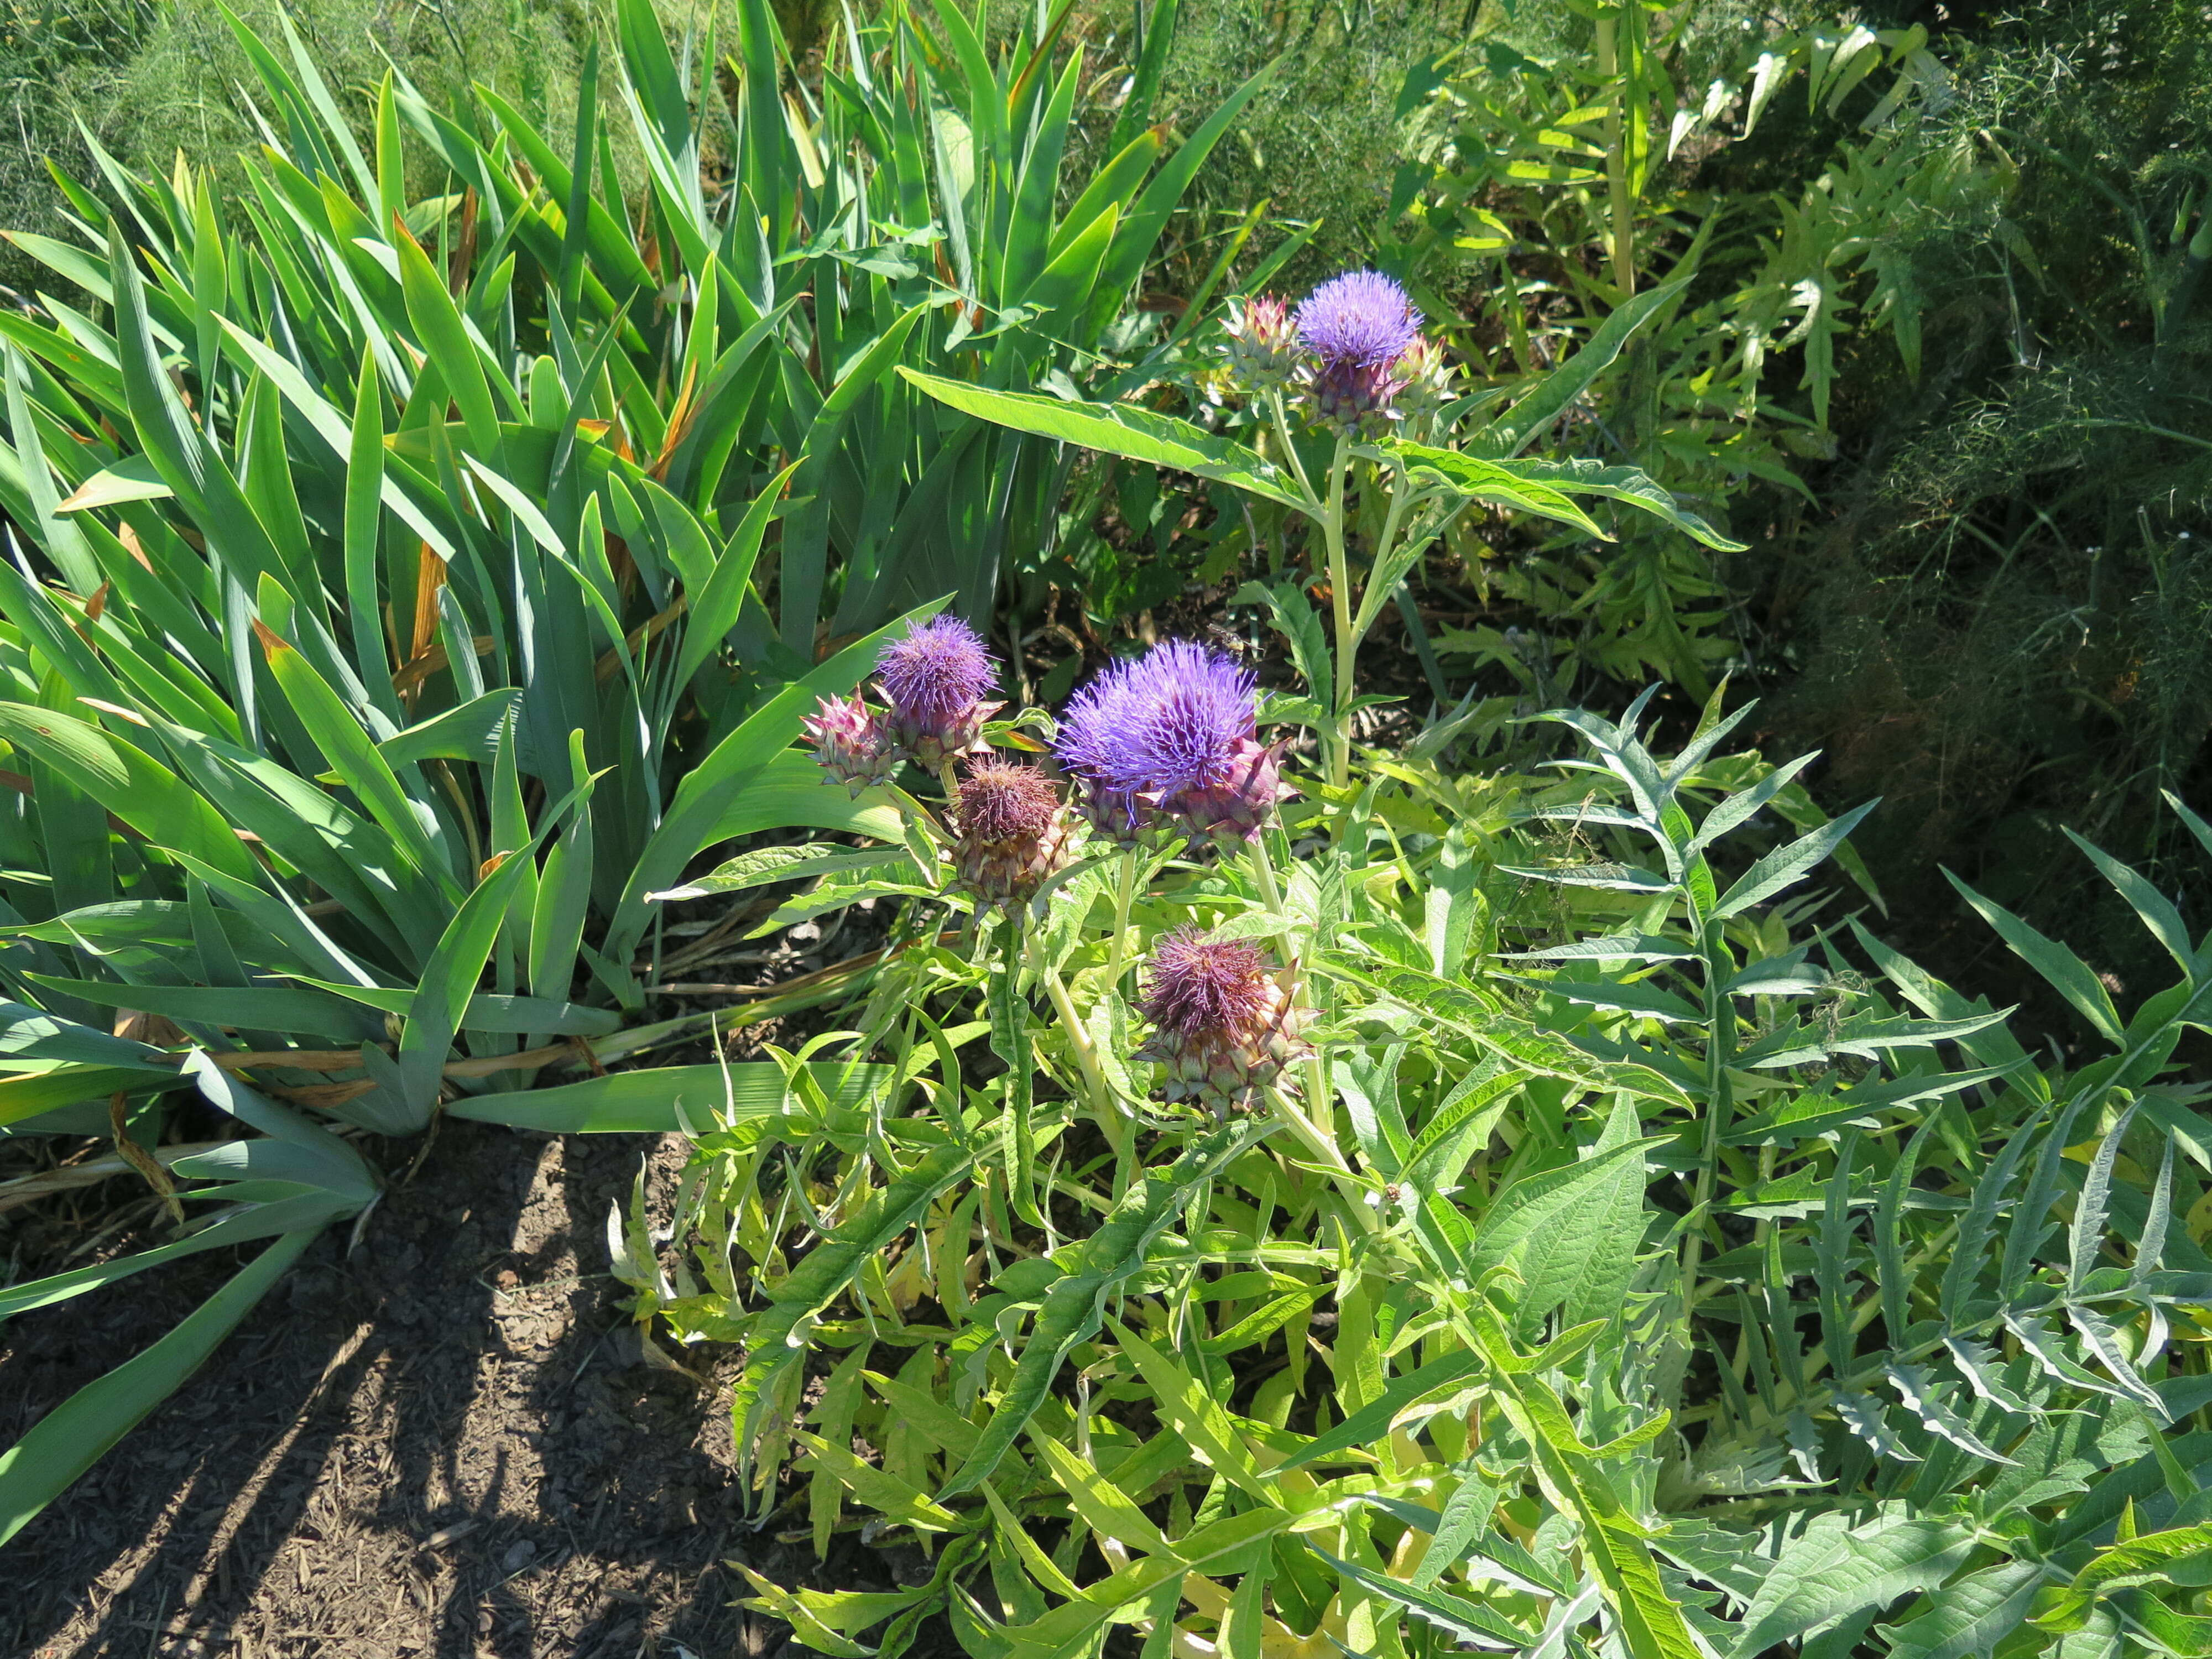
(1171, 733)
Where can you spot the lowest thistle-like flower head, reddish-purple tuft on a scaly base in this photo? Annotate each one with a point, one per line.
(1224, 1025)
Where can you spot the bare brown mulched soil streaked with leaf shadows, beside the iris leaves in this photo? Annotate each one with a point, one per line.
(441, 1443)
